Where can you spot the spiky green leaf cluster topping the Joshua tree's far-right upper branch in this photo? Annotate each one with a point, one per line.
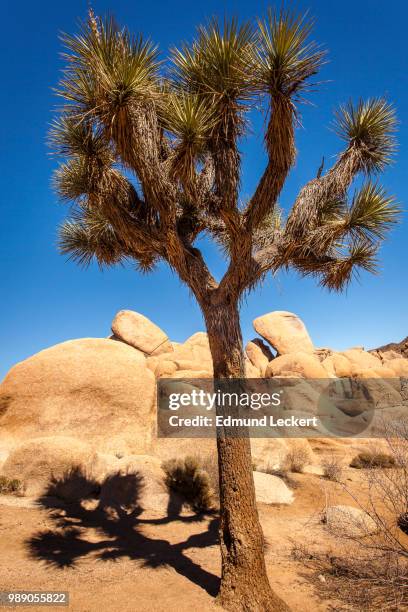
(369, 128)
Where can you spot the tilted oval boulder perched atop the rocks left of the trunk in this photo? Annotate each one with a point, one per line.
(138, 331)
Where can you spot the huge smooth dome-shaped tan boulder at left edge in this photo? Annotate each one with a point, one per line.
(93, 390)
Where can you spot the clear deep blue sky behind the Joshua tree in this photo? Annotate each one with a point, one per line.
(46, 299)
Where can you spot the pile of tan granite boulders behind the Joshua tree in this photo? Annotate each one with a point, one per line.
(93, 401)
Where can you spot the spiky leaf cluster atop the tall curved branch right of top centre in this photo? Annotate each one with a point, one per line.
(285, 58)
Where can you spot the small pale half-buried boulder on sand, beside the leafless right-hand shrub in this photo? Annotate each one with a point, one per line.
(347, 521)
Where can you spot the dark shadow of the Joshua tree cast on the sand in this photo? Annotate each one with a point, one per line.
(113, 519)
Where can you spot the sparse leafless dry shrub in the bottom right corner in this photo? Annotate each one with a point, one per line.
(369, 571)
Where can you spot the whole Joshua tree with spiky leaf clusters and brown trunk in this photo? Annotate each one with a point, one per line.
(152, 163)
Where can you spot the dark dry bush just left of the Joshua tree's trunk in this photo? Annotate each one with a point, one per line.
(187, 478)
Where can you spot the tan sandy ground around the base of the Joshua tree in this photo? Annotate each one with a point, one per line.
(147, 564)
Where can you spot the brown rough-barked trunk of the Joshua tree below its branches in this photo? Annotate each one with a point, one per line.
(244, 581)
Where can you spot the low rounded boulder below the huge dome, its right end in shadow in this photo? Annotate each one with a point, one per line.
(40, 462)
